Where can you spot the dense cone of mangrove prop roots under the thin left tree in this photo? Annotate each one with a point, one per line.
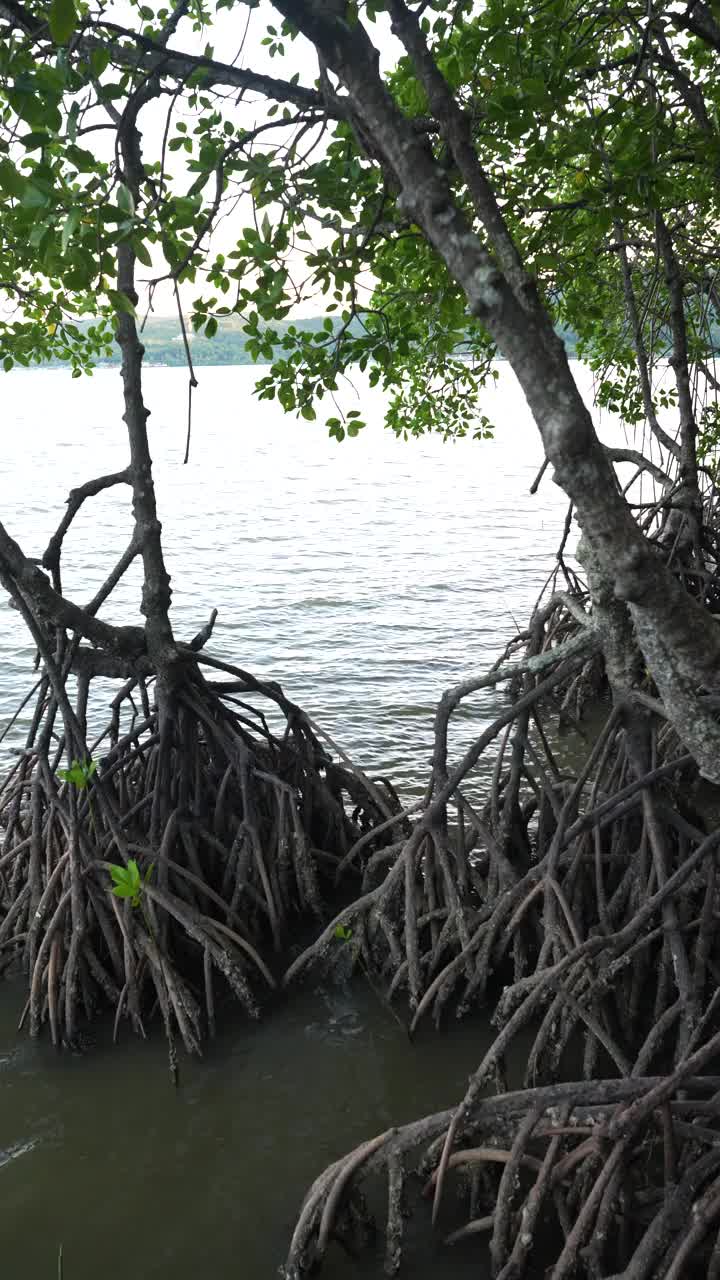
(238, 820)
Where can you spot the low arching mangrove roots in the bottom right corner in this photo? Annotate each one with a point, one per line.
(612, 1178)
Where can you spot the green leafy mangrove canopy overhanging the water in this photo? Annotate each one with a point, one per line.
(591, 122)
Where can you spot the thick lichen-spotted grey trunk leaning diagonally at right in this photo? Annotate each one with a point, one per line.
(681, 643)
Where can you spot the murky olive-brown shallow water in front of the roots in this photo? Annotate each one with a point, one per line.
(98, 1153)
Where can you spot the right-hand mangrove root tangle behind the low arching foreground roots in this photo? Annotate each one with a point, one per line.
(566, 889)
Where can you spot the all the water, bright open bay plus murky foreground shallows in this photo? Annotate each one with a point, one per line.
(366, 578)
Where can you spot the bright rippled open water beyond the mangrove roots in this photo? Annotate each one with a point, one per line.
(364, 577)
